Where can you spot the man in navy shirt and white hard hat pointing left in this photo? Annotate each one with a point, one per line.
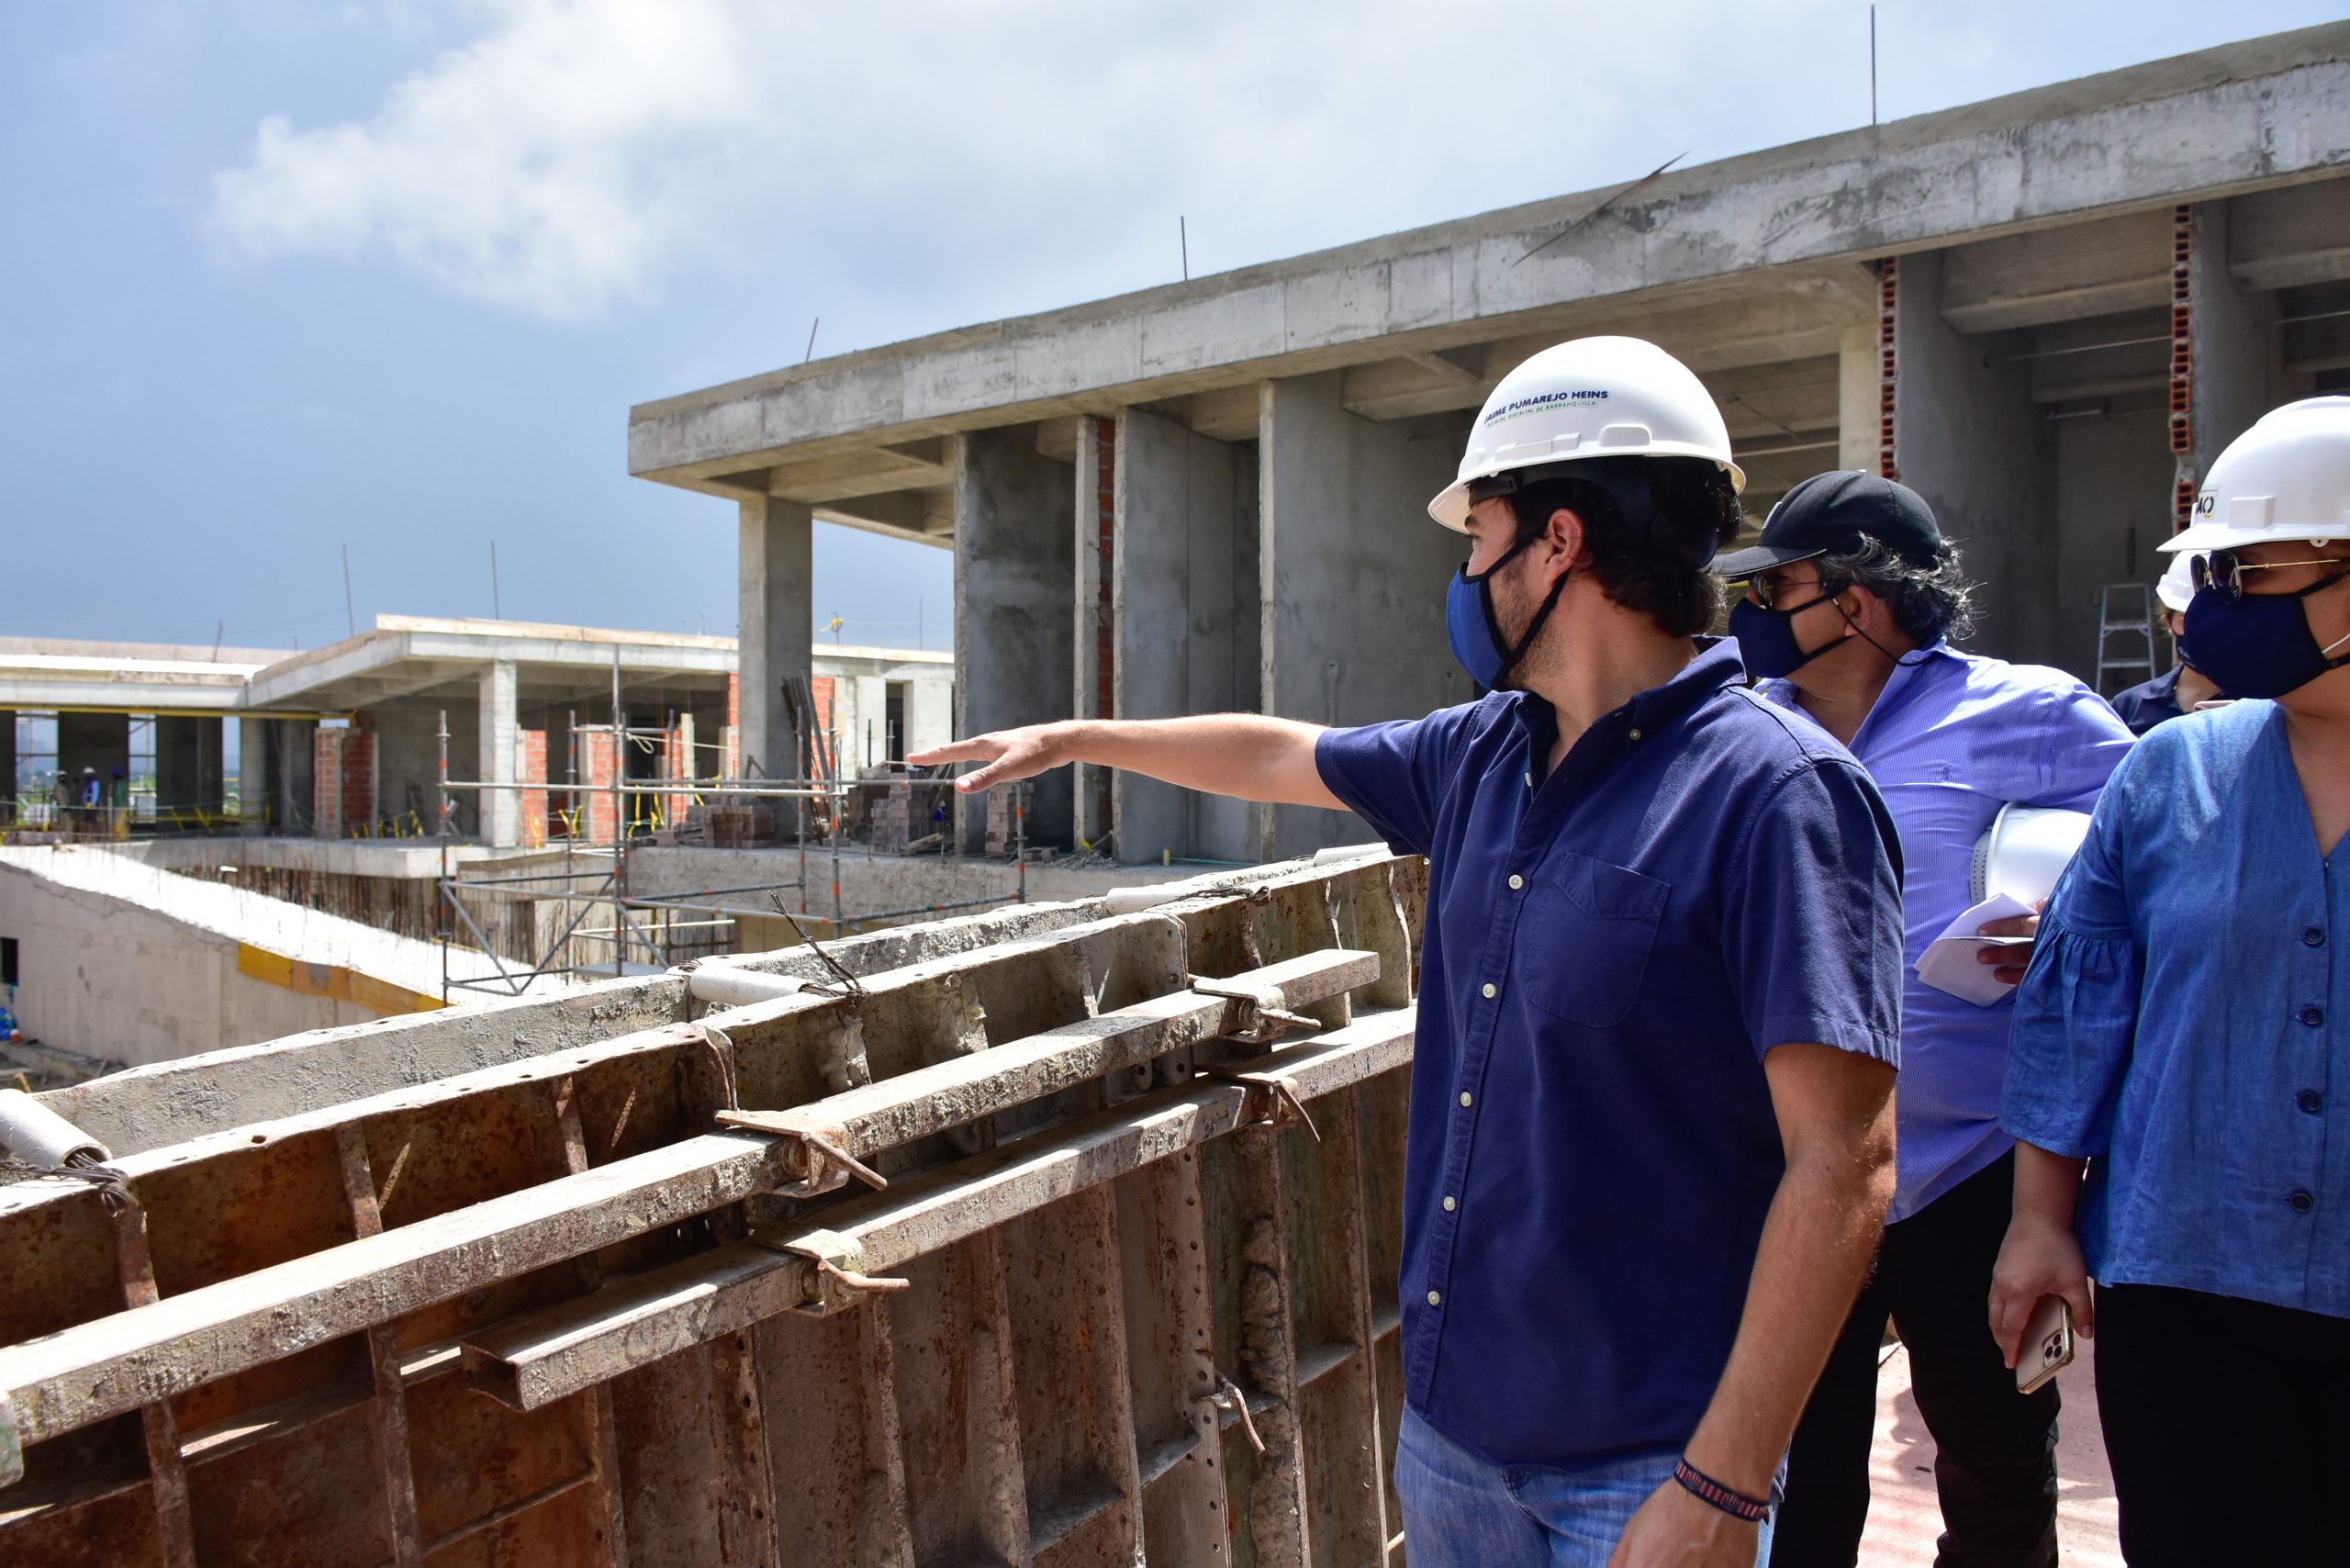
(1651, 1134)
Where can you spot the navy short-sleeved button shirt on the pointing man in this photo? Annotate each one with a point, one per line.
(1611, 951)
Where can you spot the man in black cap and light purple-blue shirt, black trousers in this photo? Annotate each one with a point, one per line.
(1853, 601)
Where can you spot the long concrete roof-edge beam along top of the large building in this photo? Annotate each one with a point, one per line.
(2241, 119)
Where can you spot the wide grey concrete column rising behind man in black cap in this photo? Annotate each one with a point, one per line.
(1973, 443)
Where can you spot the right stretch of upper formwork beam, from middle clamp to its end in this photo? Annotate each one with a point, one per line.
(967, 1090)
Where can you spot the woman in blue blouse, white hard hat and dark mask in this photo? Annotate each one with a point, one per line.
(2184, 1033)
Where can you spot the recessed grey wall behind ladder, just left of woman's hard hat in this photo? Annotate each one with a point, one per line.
(2114, 476)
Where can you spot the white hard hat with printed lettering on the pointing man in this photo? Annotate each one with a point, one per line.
(1592, 398)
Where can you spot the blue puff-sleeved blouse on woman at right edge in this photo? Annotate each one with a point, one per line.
(2187, 1024)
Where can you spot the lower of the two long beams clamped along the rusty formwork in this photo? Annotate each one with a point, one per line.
(560, 1351)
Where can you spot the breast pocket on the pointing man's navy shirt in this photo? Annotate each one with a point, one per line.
(1587, 937)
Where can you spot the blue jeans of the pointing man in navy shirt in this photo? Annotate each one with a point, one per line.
(1468, 1513)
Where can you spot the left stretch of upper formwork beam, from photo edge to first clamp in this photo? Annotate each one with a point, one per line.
(152, 1353)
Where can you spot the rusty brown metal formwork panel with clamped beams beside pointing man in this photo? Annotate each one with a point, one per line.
(1124, 1296)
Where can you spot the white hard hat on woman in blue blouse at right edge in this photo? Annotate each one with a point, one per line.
(2285, 478)
